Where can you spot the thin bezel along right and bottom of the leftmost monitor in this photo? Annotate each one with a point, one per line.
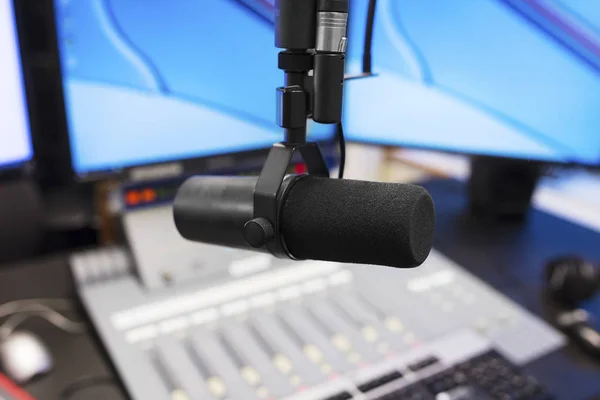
(21, 168)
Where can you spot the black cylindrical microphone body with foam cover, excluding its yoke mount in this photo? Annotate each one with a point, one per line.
(339, 220)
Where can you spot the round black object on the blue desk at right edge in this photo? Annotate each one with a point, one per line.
(572, 279)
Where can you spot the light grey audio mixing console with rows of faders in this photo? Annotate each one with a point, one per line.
(254, 327)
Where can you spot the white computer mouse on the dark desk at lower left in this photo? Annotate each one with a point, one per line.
(23, 356)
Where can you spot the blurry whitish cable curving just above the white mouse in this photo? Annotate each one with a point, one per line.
(45, 312)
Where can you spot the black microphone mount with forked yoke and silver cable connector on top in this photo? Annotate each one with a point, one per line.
(313, 36)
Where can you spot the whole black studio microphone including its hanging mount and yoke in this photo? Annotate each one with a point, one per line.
(309, 216)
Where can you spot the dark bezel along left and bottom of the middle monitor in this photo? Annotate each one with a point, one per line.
(212, 164)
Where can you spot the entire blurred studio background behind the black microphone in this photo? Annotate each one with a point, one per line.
(107, 106)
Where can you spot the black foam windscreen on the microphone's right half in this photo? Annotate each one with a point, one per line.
(358, 222)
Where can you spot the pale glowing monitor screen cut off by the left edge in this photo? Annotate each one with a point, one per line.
(15, 138)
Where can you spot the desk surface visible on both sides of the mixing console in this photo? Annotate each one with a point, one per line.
(510, 257)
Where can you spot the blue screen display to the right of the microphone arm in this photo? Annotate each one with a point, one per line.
(513, 78)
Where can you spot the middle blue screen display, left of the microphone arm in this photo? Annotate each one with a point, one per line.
(153, 81)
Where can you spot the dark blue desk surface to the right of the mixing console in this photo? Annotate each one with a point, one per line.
(511, 258)
